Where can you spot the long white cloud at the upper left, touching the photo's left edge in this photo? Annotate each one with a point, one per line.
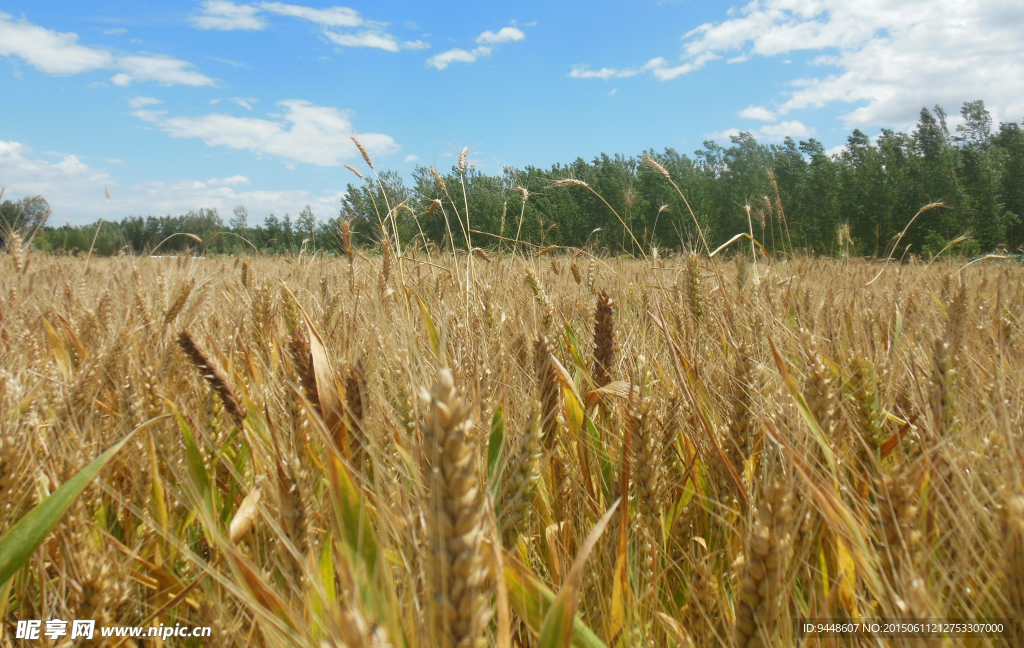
(57, 54)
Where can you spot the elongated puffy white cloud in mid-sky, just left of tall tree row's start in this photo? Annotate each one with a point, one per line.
(309, 134)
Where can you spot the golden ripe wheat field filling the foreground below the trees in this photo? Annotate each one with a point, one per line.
(410, 449)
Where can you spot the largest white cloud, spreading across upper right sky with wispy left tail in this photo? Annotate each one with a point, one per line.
(889, 58)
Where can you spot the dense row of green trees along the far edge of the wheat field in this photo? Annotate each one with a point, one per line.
(794, 197)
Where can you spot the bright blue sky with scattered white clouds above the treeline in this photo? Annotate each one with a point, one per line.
(178, 106)
